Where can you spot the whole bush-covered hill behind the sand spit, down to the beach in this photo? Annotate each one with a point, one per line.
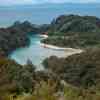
(74, 31)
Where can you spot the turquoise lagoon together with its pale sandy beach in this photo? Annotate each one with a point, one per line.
(36, 52)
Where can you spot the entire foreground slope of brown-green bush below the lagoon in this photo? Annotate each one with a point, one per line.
(74, 78)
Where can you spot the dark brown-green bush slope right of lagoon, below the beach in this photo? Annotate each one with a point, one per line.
(80, 69)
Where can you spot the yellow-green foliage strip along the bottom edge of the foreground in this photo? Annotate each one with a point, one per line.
(46, 91)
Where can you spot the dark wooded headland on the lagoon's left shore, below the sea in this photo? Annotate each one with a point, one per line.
(15, 36)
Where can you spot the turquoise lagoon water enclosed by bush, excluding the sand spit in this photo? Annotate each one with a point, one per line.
(35, 52)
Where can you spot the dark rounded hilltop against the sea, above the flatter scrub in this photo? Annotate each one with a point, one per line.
(75, 23)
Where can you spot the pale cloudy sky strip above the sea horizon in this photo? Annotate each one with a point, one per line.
(14, 2)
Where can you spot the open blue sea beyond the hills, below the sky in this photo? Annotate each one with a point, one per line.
(41, 14)
